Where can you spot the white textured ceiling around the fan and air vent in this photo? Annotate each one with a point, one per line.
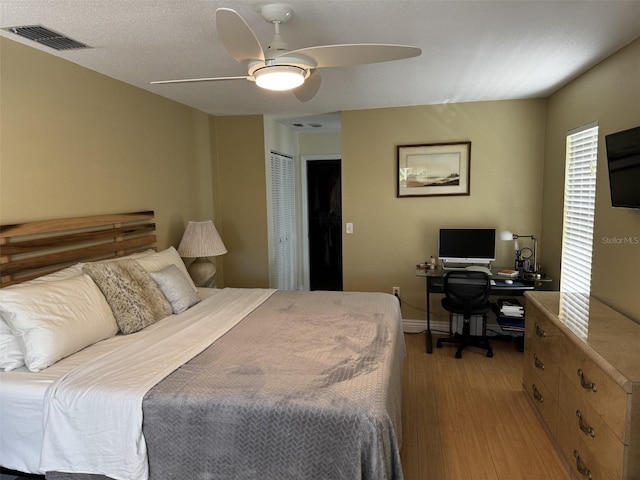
(471, 50)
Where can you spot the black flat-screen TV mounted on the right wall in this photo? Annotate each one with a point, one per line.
(623, 159)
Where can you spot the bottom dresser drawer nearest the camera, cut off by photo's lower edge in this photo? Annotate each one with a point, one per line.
(582, 461)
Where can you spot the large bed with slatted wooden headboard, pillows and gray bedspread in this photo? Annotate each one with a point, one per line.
(117, 366)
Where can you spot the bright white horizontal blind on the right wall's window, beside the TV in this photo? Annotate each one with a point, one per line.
(579, 209)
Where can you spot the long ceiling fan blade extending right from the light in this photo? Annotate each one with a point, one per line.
(355, 54)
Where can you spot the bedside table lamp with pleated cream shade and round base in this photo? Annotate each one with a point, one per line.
(201, 240)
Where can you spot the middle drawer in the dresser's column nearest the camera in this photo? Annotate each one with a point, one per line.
(592, 429)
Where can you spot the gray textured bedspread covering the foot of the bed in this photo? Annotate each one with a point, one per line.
(306, 387)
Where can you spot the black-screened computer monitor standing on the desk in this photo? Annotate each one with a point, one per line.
(467, 245)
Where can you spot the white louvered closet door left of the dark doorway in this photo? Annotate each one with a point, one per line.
(282, 222)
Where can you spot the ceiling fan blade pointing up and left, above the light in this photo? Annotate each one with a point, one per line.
(237, 36)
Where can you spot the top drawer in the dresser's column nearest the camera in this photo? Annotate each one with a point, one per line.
(598, 389)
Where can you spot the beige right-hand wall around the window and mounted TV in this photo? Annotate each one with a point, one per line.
(609, 94)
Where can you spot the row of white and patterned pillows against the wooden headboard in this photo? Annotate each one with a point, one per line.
(51, 317)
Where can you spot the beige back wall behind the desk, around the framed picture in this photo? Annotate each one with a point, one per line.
(391, 235)
